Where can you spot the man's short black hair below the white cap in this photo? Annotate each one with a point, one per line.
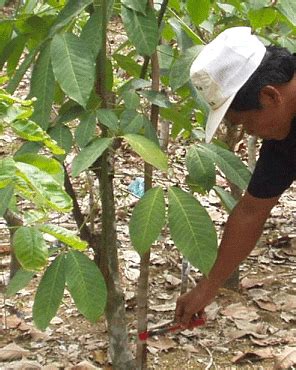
(277, 67)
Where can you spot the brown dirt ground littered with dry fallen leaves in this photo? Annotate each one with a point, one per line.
(254, 328)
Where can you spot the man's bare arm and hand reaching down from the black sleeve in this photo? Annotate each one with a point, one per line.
(242, 230)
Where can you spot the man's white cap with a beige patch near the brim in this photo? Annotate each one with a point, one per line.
(222, 68)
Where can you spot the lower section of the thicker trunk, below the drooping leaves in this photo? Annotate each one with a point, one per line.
(115, 311)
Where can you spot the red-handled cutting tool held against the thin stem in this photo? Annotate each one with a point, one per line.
(196, 321)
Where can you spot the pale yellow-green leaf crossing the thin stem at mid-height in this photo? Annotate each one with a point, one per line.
(148, 150)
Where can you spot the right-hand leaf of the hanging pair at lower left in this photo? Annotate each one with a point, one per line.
(86, 285)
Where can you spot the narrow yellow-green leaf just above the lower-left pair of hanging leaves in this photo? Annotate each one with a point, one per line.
(64, 235)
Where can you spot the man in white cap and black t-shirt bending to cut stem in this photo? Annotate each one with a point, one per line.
(253, 86)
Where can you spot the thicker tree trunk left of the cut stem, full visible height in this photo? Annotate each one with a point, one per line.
(108, 258)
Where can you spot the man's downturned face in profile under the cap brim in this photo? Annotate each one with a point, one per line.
(266, 123)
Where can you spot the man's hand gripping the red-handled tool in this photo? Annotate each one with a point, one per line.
(193, 302)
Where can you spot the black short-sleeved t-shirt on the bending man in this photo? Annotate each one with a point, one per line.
(276, 166)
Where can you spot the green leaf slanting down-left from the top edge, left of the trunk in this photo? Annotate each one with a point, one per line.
(68, 13)
